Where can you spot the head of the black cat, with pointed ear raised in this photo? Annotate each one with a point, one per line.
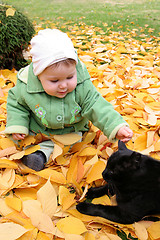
(122, 164)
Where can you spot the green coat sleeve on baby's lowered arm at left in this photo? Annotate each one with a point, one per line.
(17, 114)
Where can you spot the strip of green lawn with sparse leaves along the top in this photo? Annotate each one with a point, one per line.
(118, 15)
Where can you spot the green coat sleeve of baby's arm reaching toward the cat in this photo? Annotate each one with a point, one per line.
(100, 112)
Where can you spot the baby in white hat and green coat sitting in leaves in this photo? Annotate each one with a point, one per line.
(54, 95)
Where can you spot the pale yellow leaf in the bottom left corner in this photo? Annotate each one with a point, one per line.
(11, 231)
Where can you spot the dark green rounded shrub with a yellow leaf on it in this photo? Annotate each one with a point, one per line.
(16, 32)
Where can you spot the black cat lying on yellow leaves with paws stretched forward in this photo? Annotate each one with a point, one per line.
(135, 179)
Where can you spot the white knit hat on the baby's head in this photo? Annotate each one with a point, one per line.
(50, 46)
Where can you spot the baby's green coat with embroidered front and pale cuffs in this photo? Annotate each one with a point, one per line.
(29, 108)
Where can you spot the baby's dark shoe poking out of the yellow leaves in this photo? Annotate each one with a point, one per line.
(35, 161)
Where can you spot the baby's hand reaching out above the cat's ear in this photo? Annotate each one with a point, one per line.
(124, 134)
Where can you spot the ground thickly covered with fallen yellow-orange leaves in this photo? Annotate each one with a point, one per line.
(41, 205)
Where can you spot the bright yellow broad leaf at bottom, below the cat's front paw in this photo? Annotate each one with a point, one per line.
(71, 225)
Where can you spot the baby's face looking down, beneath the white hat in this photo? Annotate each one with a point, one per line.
(59, 81)
